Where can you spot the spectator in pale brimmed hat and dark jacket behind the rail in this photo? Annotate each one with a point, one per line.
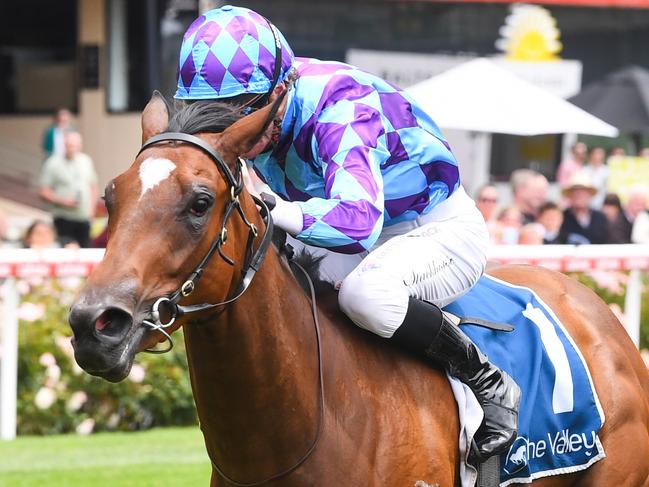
(581, 223)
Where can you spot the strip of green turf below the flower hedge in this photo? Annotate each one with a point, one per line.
(162, 457)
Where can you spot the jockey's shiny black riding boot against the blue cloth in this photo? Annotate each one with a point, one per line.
(425, 331)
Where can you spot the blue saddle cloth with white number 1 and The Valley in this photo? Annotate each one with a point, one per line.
(560, 415)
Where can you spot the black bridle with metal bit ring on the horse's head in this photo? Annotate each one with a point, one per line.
(168, 306)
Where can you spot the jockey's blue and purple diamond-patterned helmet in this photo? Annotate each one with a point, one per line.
(228, 52)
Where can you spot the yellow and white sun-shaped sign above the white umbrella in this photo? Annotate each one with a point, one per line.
(530, 33)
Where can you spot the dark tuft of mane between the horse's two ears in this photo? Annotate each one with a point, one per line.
(204, 116)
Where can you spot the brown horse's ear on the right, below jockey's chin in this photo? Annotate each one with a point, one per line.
(242, 135)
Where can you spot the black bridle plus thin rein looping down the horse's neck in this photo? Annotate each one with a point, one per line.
(253, 260)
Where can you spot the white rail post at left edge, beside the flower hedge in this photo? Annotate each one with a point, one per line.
(9, 361)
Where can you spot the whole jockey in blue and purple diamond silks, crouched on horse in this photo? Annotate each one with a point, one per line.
(359, 169)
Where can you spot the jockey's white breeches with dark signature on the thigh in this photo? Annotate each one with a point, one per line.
(437, 257)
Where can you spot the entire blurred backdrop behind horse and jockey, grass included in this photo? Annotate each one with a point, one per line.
(546, 107)
